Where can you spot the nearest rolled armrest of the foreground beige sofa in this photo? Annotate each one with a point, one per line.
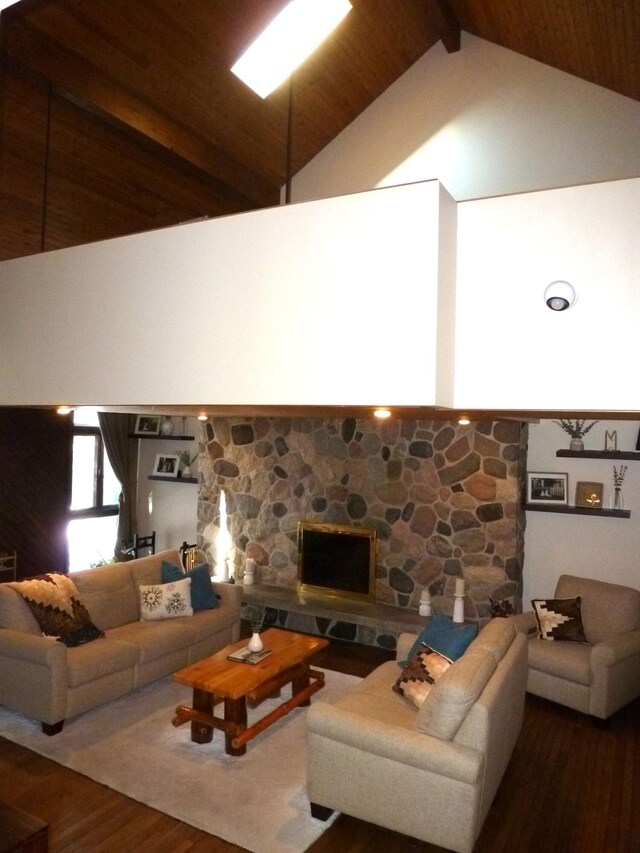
(395, 743)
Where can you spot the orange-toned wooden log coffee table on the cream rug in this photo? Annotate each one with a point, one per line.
(215, 679)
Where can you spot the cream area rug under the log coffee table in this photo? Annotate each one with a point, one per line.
(257, 801)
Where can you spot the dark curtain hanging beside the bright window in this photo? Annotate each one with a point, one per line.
(123, 455)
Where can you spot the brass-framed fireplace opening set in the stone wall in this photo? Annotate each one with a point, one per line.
(337, 560)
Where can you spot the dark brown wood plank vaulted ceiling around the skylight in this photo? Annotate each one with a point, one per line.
(155, 73)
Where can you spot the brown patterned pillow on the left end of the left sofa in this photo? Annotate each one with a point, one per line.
(58, 609)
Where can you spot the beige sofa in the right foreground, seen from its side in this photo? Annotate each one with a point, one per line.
(430, 773)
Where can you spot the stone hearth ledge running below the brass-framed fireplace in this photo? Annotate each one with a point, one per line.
(364, 622)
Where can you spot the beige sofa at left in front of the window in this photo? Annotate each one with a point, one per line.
(43, 679)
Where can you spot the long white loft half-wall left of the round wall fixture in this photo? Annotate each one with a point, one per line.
(328, 302)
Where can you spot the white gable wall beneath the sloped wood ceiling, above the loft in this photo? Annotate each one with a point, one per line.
(484, 121)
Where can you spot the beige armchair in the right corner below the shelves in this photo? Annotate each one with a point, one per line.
(598, 677)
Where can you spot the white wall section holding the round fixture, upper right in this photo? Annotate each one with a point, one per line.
(512, 351)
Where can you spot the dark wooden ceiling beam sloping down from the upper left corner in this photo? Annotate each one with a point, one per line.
(75, 76)
